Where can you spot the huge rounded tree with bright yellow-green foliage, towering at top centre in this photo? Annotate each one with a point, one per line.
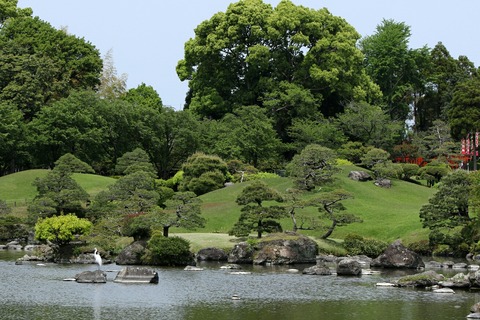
(291, 59)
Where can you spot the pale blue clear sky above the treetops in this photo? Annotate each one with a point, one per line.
(147, 37)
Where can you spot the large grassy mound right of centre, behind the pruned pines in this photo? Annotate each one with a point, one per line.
(387, 214)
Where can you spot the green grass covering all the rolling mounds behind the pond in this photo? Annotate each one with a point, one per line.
(387, 214)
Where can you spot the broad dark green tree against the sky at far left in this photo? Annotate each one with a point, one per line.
(39, 64)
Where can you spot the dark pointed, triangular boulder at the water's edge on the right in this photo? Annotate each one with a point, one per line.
(398, 256)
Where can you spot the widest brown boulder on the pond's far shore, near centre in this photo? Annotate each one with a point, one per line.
(285, 249)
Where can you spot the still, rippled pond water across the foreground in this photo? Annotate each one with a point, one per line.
(30, 291)
